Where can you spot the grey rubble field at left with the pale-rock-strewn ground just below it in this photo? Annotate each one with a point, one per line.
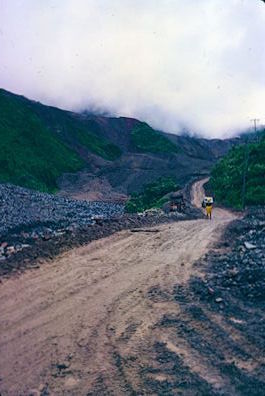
(28, 217)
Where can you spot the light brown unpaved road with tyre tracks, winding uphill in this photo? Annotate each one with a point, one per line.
(84, 323)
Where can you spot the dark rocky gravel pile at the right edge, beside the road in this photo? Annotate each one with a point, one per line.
(239, 273)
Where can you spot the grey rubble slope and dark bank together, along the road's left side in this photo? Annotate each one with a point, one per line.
(36, 226)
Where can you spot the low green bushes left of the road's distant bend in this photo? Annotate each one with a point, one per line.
(152, 195)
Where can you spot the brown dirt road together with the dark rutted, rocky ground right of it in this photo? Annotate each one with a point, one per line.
(170, 310)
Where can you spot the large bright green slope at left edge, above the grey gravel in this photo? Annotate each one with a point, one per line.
(30, 155)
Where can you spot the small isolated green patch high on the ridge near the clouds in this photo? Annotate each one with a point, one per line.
(146, 139)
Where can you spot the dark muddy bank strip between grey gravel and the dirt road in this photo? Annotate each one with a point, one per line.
(30, 246)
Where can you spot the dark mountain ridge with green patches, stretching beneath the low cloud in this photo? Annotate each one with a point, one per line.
(120, 155)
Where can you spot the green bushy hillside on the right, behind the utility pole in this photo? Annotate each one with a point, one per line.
(227, 176)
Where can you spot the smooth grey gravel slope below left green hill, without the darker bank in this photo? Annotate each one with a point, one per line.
(23, 207)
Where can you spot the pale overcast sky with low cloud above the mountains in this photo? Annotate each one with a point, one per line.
(177, 64)
